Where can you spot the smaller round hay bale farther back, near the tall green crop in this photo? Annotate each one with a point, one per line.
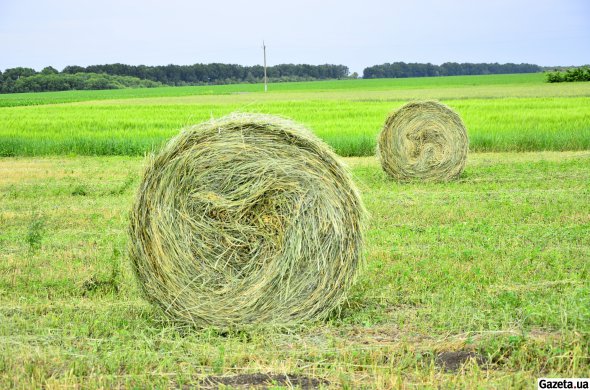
(424, 141)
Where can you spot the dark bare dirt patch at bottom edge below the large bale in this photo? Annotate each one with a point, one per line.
(262, 381)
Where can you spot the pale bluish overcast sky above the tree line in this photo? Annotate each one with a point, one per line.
(357, 34)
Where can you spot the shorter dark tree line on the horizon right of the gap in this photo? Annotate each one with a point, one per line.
(402, 69)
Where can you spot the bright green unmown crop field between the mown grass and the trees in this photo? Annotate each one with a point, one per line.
(502, 113)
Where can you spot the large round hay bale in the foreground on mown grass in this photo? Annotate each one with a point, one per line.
(247, 219)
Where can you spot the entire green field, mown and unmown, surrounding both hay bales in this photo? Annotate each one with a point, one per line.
(482, 282)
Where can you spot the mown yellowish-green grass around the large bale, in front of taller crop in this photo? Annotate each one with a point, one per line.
(495, 264)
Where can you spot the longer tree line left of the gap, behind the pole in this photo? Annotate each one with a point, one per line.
(111, 76)
